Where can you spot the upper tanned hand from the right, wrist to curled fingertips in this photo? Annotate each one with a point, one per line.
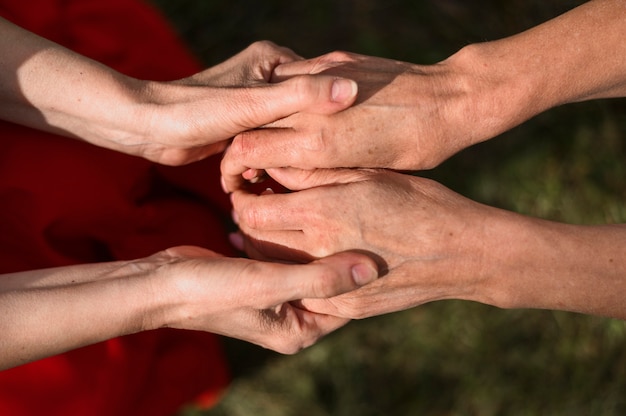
(405, 117)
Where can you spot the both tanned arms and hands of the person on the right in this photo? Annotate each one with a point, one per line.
(434, 243)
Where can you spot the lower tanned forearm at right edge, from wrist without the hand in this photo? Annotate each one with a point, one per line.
(532, 263)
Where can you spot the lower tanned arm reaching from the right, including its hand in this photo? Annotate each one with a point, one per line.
(435, 245)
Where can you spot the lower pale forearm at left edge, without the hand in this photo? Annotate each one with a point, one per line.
(47, 312)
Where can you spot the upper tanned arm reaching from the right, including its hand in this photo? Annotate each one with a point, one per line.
(413, 117)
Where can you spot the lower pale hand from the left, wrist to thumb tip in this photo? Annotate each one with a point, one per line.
(250, 300)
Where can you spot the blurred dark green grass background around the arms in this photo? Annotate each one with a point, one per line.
(451, 357)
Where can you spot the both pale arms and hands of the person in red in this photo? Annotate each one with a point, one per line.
(45, 86)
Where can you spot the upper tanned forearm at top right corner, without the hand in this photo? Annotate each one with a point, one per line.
(580, 55)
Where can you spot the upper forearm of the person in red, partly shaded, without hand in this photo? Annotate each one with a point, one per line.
(48, 87)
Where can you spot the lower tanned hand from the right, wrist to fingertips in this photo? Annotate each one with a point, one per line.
(426, 236)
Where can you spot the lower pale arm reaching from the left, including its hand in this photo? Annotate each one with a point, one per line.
(46, 312)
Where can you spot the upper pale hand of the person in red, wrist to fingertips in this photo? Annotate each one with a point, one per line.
(196, 116)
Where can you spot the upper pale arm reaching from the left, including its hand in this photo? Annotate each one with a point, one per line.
(45, 86)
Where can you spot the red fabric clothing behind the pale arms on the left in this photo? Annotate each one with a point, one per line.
(66, 202)
